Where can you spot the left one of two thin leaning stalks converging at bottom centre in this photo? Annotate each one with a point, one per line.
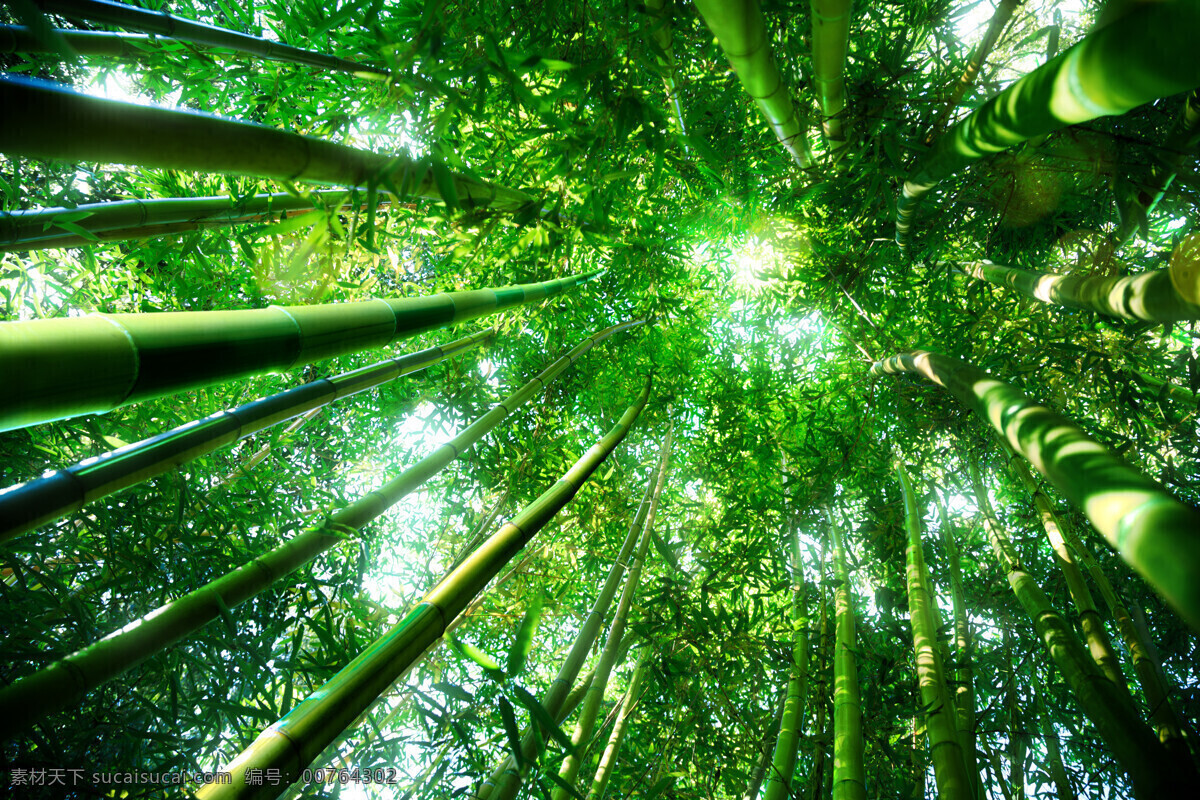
(507, 784)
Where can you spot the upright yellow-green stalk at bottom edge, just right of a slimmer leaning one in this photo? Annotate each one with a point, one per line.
(849, 774)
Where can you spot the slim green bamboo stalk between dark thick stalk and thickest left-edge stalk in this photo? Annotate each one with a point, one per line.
(121, 220)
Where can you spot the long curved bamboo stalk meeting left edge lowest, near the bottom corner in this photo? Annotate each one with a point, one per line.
(53, 688)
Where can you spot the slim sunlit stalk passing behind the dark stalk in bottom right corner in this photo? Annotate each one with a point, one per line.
(1100, 647)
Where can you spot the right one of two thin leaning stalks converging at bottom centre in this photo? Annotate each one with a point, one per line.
(586, 723)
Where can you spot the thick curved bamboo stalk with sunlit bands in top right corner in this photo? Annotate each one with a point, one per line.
(1112, 71)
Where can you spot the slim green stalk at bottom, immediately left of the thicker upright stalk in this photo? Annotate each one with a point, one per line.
(781, 784)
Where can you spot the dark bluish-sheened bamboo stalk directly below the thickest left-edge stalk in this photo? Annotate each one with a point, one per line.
(44, 500)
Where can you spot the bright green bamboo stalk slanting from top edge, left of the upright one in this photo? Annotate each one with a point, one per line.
(742, 33)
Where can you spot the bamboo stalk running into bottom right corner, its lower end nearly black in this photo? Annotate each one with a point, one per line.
(1153, 772)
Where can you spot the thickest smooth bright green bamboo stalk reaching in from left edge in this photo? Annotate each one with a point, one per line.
(57, 369)
